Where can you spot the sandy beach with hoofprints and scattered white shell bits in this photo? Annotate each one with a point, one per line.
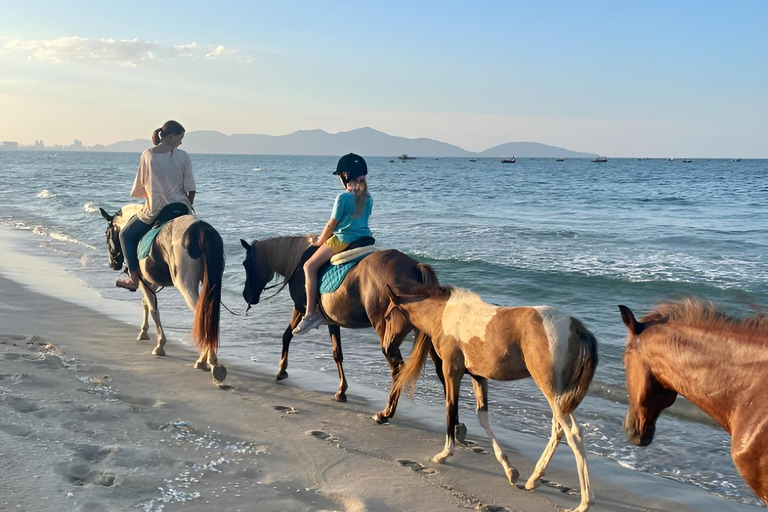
(93, 422)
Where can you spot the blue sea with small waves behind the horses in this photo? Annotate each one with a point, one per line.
(578, 235)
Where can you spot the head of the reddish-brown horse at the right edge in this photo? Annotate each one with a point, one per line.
(647, 397)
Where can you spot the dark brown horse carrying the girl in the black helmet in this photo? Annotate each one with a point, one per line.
(359, 302)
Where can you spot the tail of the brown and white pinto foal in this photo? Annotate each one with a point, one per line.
(582, 367)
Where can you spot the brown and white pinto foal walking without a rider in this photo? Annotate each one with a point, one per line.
(491, 342)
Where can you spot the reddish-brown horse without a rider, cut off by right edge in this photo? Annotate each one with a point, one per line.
(717, 362)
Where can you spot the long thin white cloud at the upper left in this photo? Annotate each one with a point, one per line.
(121, 52)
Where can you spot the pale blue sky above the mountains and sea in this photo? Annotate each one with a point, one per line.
(652, 78)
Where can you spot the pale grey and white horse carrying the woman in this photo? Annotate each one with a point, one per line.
(187, 254)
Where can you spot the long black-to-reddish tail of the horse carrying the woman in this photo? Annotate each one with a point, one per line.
(203, 241)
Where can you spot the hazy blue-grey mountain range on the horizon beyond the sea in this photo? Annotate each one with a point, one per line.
(365, 141)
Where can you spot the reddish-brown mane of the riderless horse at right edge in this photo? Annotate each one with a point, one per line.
(704, 313)
